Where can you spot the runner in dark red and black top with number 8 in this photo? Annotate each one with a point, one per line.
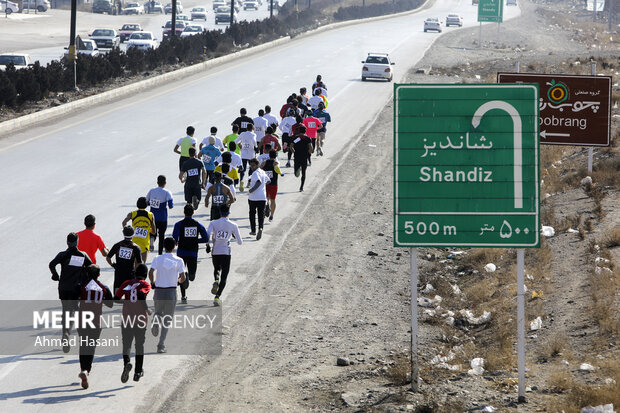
(135, 320)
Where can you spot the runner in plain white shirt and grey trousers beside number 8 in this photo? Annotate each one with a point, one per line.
(167, 271)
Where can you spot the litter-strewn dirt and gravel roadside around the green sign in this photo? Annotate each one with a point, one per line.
(339, 289)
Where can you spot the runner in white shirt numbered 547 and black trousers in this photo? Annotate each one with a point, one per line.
(221, 231)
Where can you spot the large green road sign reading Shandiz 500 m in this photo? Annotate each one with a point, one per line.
(466, 165)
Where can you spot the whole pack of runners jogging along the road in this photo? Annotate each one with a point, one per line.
(246, 159)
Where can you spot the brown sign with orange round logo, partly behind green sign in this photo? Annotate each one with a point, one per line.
(574, 110)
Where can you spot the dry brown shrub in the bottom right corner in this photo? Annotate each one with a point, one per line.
(577, 395)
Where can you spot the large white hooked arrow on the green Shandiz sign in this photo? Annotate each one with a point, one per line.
(518, 150)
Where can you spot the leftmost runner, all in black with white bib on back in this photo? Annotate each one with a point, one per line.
(73, 263)
